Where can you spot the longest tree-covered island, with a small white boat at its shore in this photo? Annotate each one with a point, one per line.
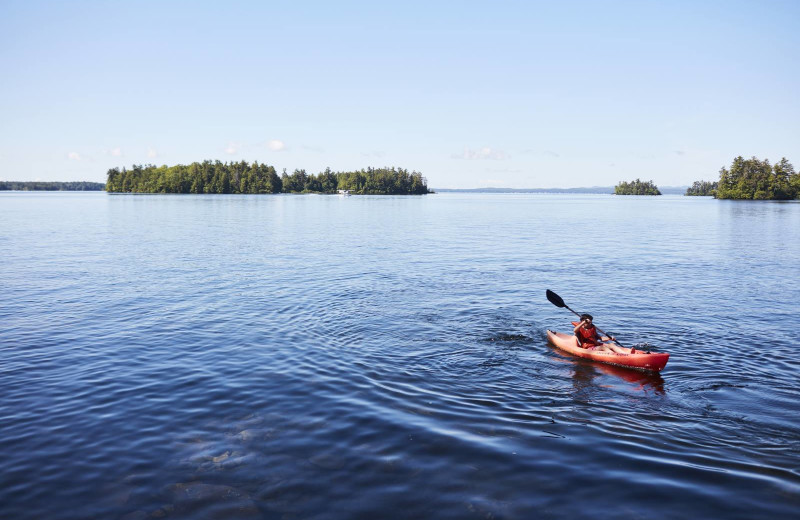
(245, 178)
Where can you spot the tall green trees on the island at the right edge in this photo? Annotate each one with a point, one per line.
(752, 179)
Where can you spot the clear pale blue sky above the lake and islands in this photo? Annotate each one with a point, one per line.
(473, 94)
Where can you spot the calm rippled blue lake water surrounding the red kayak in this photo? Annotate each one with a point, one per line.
(385, 357)
